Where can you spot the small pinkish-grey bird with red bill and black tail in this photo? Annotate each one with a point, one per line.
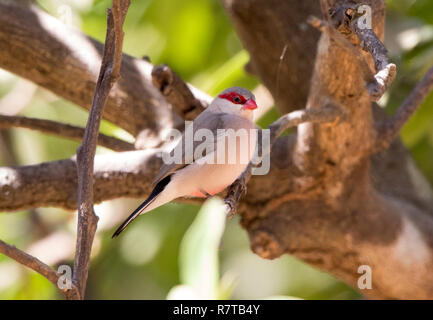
(229, 116)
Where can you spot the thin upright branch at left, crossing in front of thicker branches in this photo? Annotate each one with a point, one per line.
(109, 73)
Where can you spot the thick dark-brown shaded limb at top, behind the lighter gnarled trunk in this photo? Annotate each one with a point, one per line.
(285, 31)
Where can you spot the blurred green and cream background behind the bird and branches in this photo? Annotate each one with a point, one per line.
(165, 253)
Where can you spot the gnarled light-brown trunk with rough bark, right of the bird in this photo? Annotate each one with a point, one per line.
(331, 204)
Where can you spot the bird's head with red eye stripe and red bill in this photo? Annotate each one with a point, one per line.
(235, 100)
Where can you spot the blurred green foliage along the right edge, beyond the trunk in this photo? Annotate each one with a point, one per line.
(410, 40)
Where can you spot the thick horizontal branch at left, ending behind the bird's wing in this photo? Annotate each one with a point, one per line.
(54, 184)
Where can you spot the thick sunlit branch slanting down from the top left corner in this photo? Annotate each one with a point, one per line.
(38, 47)
